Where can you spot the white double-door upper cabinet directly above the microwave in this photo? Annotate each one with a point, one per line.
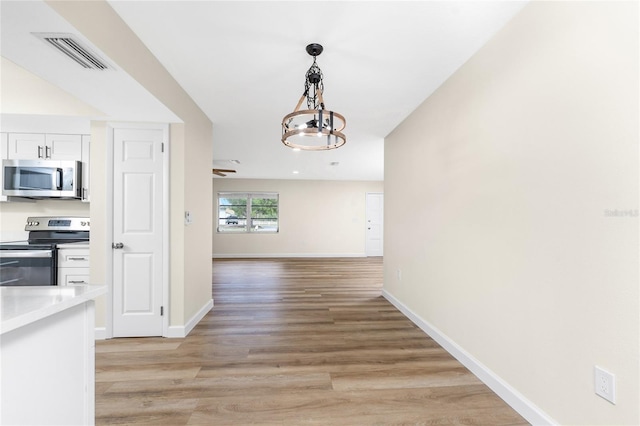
(35, 146)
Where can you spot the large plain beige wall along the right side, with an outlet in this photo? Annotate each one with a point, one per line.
(512, 173)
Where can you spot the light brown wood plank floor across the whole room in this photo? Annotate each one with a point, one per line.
(292, 342)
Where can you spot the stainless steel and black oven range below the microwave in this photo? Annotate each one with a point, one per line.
(34, 262)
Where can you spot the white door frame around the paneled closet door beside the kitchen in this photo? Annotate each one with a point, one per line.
(111, 126)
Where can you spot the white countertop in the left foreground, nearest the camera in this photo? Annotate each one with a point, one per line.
(20, 306)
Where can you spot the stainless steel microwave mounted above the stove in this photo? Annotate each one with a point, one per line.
(42, 178)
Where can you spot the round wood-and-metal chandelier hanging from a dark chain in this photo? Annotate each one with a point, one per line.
(314, 128)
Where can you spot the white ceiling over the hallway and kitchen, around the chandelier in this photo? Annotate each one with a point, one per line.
(243, 62)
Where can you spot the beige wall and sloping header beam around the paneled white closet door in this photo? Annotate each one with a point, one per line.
(191, 144)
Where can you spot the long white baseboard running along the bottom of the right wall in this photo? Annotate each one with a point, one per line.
(517, 401)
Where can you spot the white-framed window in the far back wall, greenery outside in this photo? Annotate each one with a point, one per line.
(247, 212)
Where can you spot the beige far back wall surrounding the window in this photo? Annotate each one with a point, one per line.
(317, 218)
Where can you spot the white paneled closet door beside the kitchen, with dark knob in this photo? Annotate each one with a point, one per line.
(137, 232)
